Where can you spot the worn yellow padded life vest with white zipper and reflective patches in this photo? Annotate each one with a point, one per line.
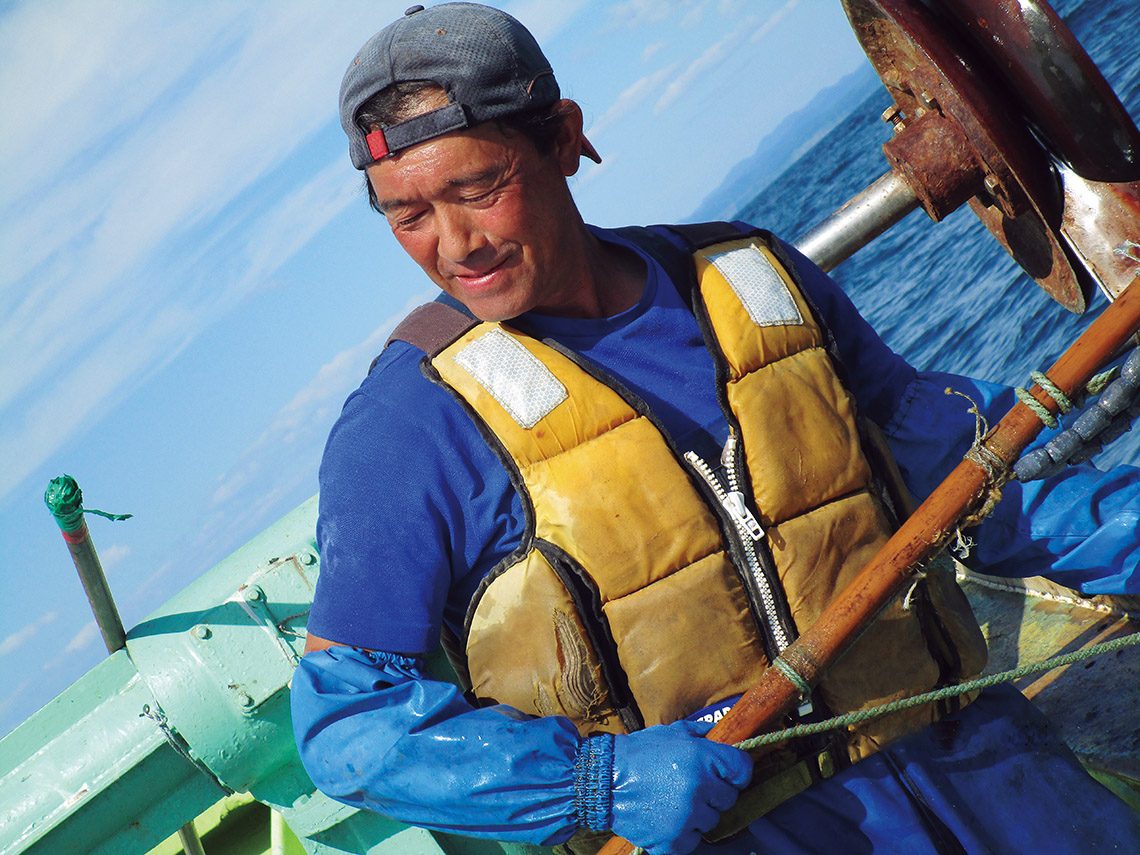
(639, 595)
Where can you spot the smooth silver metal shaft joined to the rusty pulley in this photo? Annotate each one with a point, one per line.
(857, 224)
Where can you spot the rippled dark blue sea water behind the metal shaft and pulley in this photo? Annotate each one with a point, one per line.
(946, 296)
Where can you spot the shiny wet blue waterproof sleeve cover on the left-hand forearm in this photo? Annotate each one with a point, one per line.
(376, 731)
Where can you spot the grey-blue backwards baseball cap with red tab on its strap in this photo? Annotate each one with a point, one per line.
(488, 63)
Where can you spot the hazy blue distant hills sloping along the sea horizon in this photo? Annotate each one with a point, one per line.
(785, 145)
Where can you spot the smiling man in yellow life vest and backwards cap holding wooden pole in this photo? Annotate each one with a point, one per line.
(541, 493)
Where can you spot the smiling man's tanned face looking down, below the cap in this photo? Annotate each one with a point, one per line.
(487, 218)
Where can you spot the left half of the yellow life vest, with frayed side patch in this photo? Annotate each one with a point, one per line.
(601, 478)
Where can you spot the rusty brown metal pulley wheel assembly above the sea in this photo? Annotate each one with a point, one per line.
(967, 85)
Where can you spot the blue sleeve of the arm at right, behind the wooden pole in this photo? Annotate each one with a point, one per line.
(1078, 528)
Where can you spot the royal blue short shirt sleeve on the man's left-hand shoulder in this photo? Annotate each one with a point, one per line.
(414, 510)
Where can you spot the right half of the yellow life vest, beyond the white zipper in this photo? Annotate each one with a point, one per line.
(811, 482)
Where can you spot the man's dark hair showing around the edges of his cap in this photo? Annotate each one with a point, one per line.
(403, 101)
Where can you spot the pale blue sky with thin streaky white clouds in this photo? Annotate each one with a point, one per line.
(192, 282)
